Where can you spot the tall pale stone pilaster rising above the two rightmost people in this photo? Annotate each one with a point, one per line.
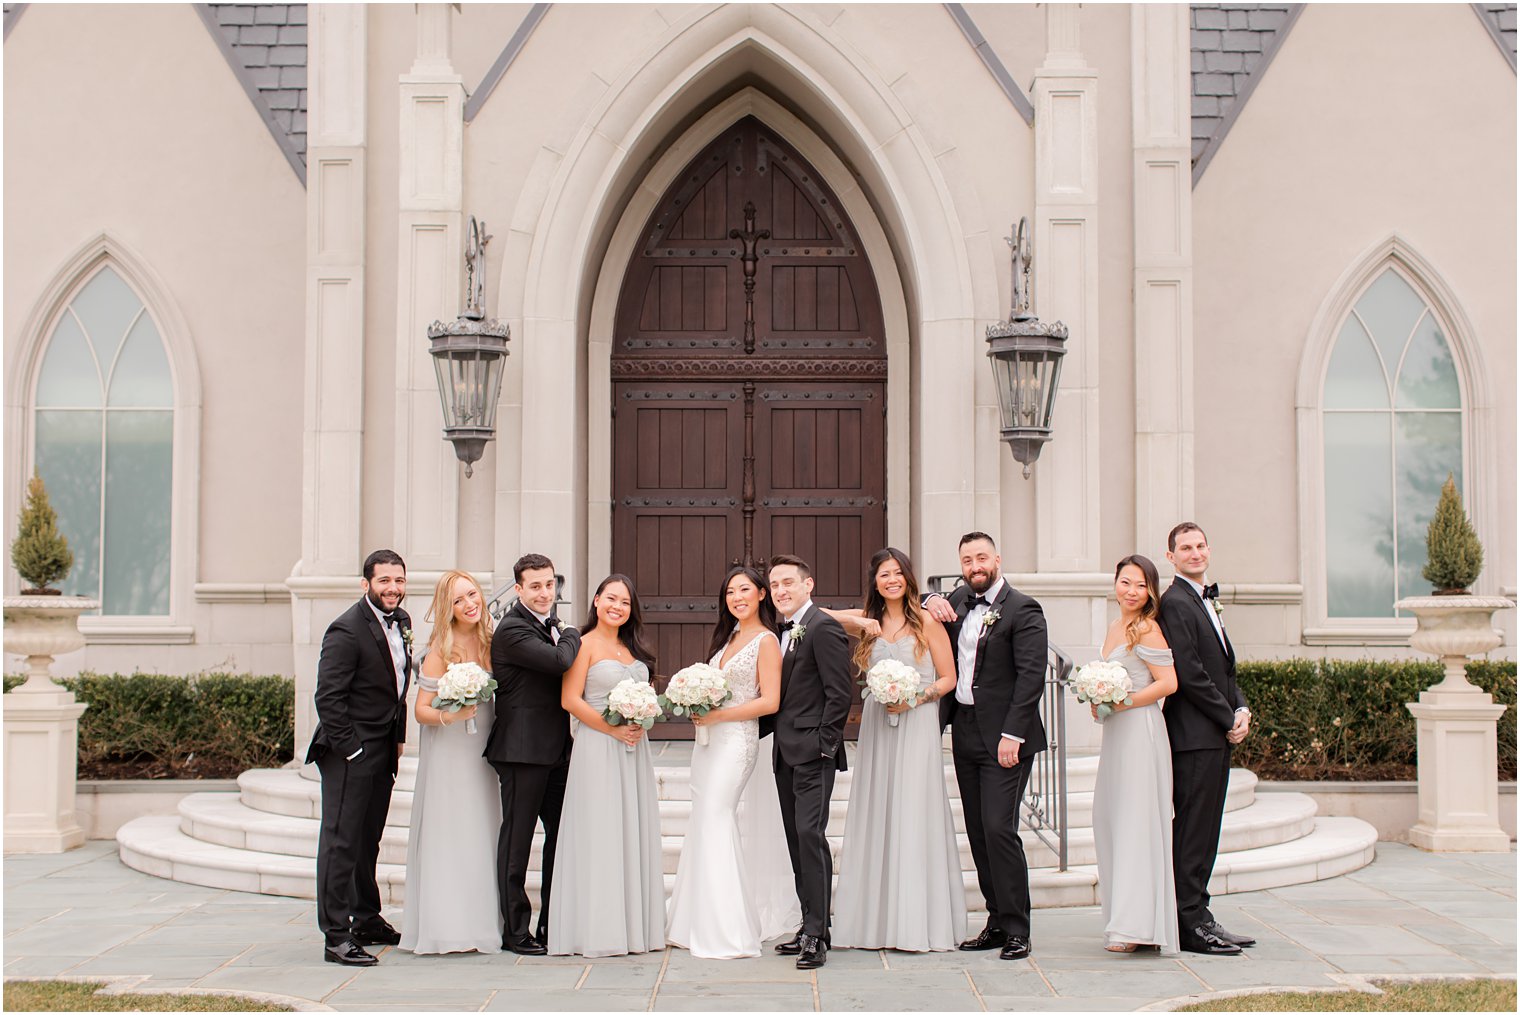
(1164, 271)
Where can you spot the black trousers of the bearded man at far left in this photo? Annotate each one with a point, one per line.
(356, 797)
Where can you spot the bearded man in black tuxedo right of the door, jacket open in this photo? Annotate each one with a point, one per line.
(1001, 647)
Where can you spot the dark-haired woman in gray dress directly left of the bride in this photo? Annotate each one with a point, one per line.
(609, 879)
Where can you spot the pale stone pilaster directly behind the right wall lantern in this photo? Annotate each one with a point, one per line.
(1066, 247)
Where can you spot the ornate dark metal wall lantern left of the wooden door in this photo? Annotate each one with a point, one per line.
(470, 359)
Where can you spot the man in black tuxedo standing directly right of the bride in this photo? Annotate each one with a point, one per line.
(809, 745)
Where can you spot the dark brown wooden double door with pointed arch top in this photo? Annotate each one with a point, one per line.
(750, 390)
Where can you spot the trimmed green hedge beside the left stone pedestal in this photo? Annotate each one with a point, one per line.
(207, 727)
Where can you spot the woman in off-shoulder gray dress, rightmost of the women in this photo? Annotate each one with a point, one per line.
(1133, 798)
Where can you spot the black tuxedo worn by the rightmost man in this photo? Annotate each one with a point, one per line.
(1199, 716)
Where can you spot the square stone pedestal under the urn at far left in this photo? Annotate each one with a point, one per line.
(42, 741)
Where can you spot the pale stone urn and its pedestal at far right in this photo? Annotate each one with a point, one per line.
(1458, 727)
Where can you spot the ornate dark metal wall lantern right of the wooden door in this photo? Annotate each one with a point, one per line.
(1027, 361)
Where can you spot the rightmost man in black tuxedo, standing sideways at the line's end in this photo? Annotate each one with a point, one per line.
(1205, 718)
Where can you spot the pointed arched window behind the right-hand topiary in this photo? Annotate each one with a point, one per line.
(1393, 432)
